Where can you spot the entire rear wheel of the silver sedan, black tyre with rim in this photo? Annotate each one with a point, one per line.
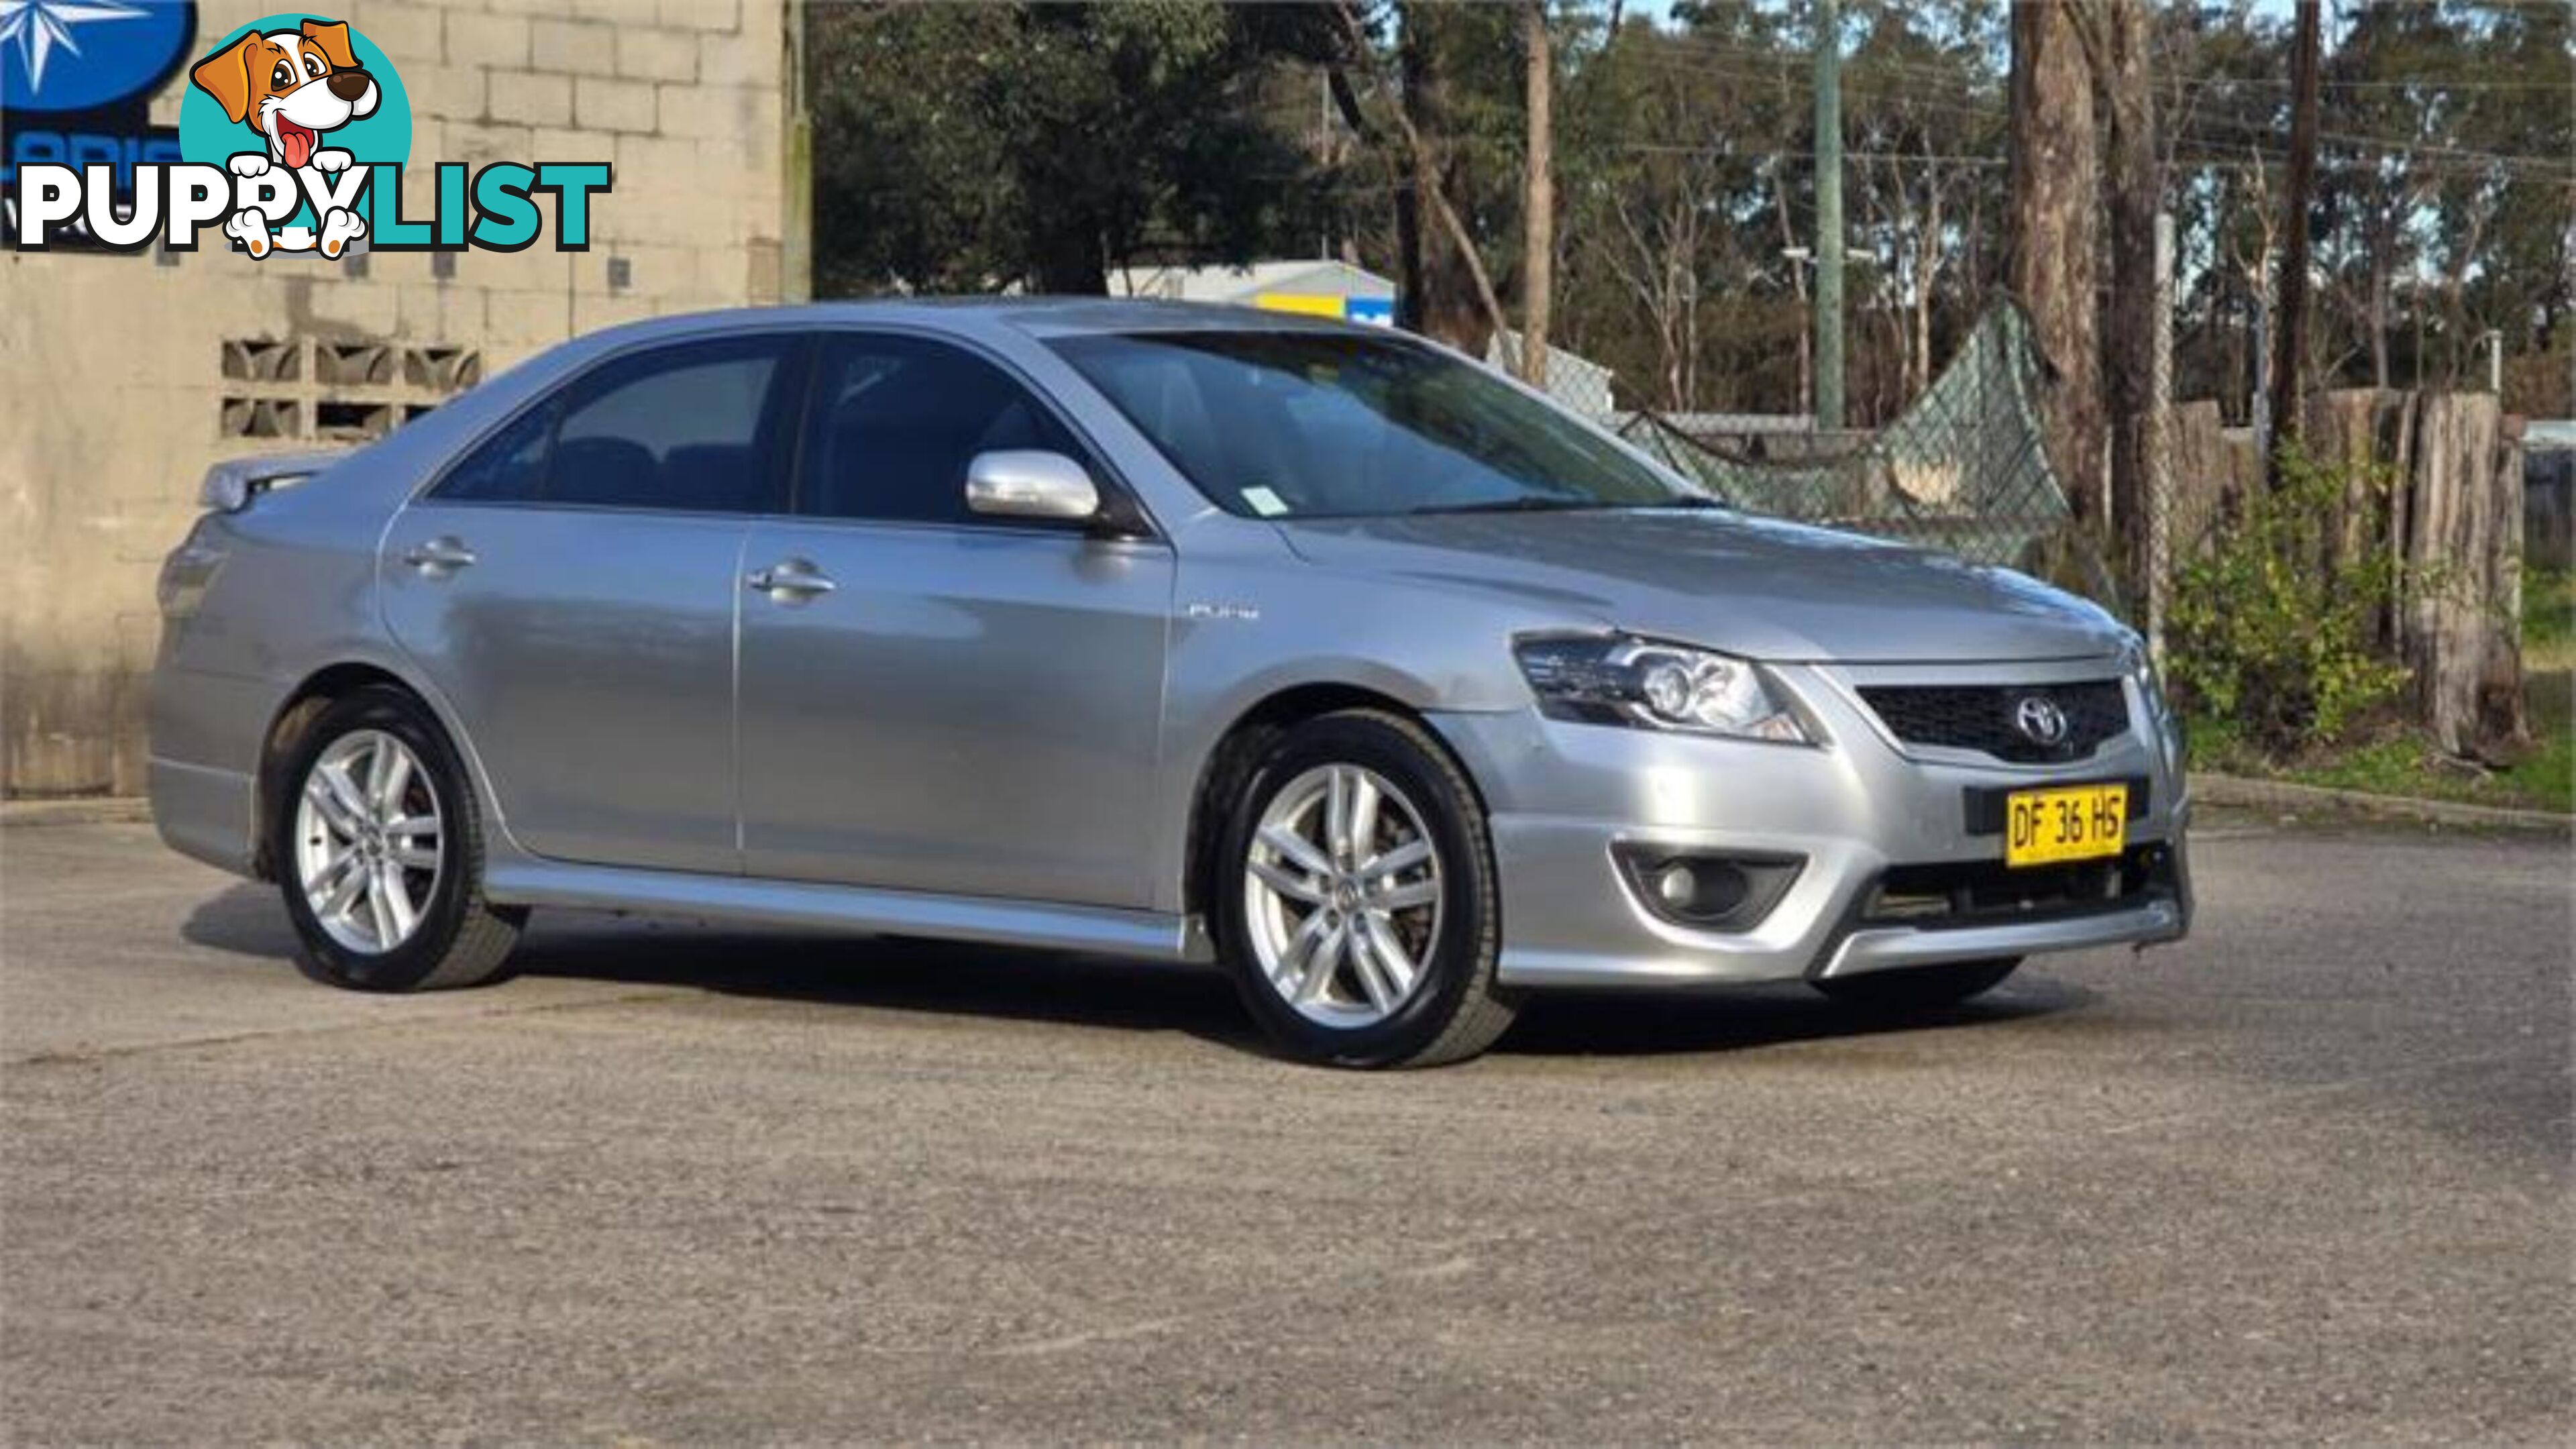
(344, 855)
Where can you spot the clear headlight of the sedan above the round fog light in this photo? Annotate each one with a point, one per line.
(1616, 679)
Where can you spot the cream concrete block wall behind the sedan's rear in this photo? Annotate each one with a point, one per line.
(112, 383)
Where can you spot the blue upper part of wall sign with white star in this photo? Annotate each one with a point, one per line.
(84, 55)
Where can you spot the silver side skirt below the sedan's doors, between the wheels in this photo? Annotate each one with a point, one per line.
(849, 909)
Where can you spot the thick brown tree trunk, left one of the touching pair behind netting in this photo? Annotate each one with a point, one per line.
(2054, 236)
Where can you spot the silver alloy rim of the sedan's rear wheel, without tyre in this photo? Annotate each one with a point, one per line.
(367, 842)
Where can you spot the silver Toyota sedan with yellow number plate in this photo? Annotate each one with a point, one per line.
(1310, 651)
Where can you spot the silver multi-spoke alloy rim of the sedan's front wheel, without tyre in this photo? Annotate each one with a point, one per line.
(1343, 896)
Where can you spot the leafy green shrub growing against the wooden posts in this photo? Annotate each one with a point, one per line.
(2271, 638)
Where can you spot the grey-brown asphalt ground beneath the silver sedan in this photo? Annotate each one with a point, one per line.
(2307, 1177)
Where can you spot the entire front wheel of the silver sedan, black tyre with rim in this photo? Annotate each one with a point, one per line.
(1449, 932)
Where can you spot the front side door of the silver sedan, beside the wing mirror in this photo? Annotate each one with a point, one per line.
(936, 700)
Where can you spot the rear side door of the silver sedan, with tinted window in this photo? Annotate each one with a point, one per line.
(571, 589)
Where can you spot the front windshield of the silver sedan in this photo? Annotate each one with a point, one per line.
(1331, 424)
